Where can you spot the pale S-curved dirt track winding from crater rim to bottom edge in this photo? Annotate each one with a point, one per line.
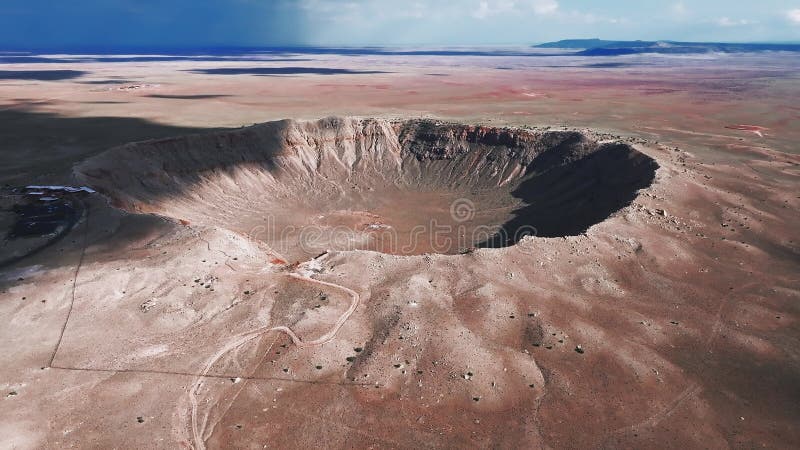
(241, 339)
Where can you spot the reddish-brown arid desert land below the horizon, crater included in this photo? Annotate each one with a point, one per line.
(331, 248)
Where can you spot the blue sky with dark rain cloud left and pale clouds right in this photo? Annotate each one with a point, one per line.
(202, 23)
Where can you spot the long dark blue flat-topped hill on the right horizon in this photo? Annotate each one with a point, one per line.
(599, 47)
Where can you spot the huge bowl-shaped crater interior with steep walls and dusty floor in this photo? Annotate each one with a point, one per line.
(404, 187)
